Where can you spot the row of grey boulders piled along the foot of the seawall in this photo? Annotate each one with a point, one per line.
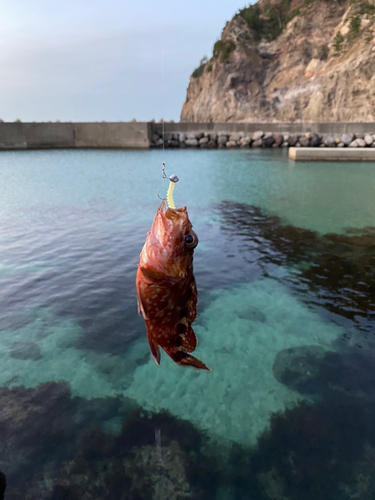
(260, 139)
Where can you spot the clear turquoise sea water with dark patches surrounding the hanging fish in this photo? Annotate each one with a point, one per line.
(285, 275)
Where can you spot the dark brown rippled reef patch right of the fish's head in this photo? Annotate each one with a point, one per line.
(338, 269)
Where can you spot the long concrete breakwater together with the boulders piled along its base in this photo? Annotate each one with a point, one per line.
(121, 135)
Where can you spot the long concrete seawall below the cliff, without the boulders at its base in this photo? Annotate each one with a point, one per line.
(139, 134)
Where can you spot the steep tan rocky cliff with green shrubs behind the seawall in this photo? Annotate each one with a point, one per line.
(289, 60)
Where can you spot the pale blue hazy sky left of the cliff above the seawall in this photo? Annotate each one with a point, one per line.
(94, 60)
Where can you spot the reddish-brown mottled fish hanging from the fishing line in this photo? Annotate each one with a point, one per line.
(166, 288)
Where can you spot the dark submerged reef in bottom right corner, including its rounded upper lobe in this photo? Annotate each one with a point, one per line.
(322, 449)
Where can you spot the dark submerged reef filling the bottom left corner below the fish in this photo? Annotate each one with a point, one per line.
(54, 447)
